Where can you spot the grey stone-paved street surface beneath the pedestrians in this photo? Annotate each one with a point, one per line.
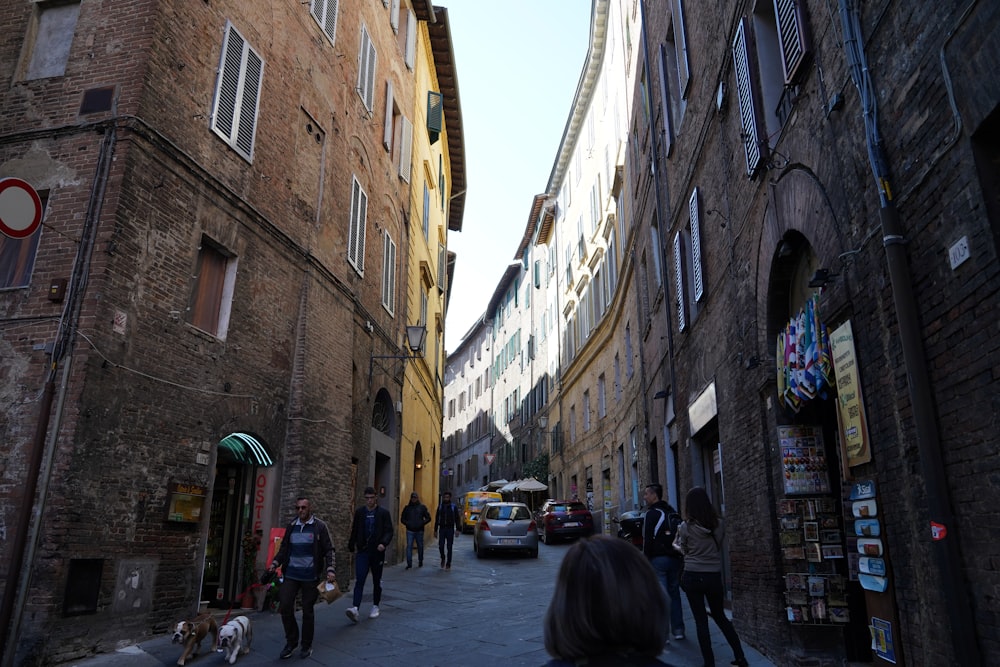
(481, 612)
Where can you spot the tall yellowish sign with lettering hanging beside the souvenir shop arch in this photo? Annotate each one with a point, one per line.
(850, 404)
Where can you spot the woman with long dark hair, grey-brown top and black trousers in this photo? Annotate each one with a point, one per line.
(699, 538)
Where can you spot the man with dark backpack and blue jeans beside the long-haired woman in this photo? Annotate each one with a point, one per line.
(659, 529)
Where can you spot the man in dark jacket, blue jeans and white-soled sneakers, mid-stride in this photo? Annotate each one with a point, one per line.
(371, 534)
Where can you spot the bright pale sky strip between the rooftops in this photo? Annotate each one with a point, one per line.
(518, 64)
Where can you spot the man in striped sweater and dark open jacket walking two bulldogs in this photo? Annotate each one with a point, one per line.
(305, 551)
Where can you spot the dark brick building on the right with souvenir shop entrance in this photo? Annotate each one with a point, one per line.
(777, 145)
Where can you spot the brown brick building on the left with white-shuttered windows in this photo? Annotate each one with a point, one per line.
(185, 344)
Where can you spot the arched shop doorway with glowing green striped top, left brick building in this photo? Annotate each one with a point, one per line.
(232, 543)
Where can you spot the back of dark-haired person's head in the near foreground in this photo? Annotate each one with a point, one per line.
(608, 607)
